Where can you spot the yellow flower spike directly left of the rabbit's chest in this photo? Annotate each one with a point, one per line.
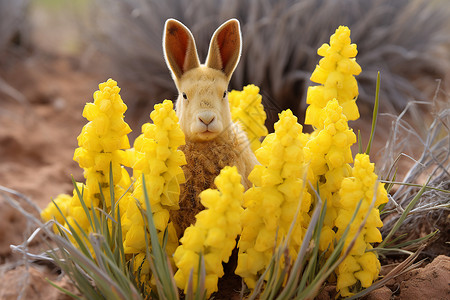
(157, 160)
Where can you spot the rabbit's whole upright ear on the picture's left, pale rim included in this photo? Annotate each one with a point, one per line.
(179, 48)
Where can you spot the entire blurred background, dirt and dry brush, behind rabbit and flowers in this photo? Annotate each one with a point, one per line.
(54, 53)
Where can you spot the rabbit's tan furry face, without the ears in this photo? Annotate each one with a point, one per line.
(202, 105)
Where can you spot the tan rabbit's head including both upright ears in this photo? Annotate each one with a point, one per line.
(202, 105)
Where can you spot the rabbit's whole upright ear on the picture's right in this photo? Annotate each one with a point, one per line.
(225, 48)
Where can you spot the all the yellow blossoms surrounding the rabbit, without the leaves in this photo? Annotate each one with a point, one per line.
(289, 158)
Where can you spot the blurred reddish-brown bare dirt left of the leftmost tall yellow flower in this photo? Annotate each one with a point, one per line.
(38, 138)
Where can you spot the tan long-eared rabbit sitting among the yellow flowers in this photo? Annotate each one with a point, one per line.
(213, 140)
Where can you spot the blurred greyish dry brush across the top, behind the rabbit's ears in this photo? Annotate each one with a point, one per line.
(406, 40)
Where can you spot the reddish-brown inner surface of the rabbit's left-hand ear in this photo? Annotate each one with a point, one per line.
(177, 43)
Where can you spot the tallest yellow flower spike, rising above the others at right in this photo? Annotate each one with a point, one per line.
(335, 73)
